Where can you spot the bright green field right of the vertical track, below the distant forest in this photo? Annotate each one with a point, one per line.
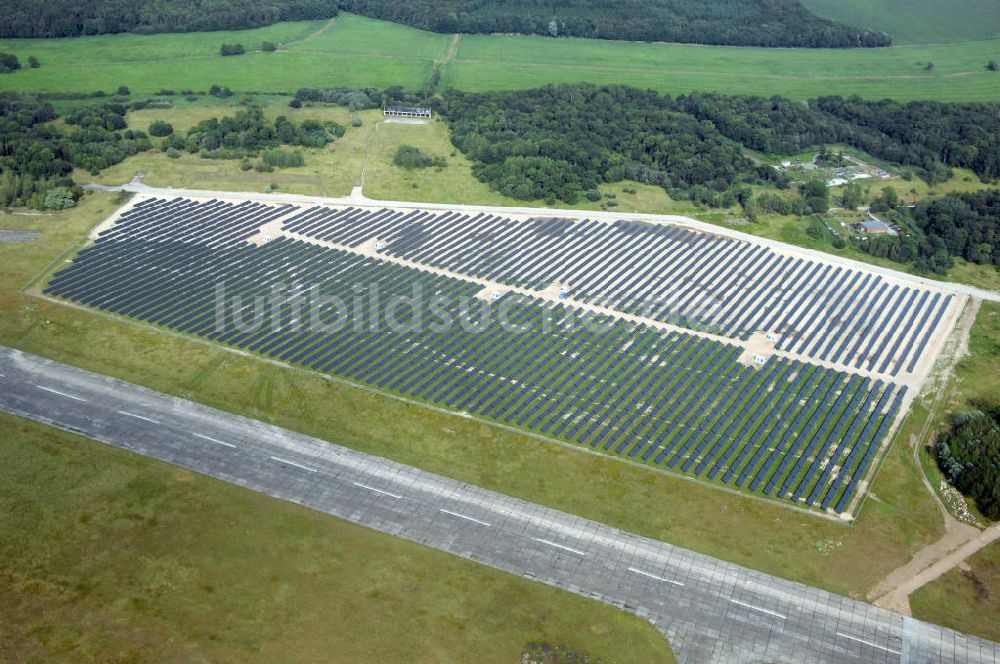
(516, 62)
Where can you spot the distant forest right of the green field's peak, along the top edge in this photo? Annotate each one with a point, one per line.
(730, 22)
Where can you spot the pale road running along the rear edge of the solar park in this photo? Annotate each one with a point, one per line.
(357, 199)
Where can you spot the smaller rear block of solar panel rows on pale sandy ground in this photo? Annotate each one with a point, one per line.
(666, 273)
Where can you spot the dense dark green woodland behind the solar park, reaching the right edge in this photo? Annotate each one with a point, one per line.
(558, 141)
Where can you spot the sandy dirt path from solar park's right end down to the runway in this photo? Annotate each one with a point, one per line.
(960, 540)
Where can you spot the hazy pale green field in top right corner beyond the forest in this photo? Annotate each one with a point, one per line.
(917, 21)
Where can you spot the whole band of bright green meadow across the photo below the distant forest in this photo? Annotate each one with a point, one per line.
(356, 51)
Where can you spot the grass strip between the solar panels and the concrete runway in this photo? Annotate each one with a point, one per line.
(897, 520)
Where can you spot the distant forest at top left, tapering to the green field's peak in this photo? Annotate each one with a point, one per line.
(73, 18)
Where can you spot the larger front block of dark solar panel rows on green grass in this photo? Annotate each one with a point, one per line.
(789, 429)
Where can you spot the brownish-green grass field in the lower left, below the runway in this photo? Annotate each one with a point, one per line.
(108, 556)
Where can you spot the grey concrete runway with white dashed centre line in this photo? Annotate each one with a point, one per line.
(712, 611)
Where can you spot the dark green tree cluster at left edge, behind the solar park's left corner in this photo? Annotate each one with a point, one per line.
(37, 160)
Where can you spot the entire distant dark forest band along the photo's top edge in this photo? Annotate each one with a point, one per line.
(730, 22)
